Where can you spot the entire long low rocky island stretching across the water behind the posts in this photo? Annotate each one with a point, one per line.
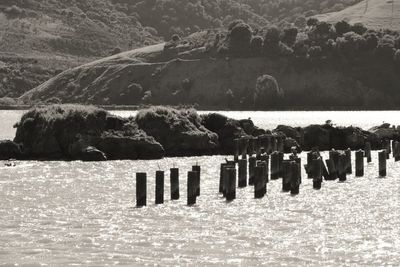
(89, 133)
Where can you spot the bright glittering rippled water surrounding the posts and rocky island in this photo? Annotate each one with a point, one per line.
(75, 213)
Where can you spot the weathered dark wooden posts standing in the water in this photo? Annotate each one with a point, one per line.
(257, 170)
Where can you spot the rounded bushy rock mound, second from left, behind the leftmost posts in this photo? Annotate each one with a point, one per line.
(180, 132)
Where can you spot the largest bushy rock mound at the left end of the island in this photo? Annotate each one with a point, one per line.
(82, 133)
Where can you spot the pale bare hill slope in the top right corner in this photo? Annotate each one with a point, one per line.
(377, 14)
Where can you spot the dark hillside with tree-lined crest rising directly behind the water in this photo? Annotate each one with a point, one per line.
(320, 67)
